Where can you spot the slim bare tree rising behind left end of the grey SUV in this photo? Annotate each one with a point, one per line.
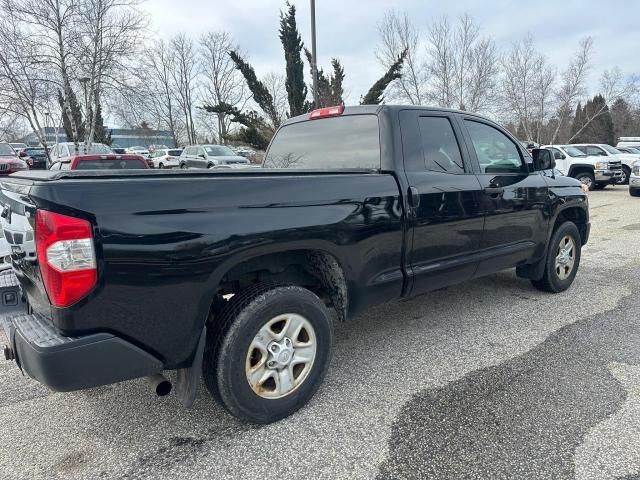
(184, 76)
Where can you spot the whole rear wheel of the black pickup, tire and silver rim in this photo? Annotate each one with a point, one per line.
(268, 351)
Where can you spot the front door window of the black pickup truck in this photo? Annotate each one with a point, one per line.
(495, 151)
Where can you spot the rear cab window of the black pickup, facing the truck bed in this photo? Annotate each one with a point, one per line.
(349, 141)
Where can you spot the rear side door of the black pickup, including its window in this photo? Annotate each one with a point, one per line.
(445, 219)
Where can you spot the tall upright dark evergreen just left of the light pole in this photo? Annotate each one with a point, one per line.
(292, 46)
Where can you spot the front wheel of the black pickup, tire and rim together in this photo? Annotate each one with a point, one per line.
(563, 259)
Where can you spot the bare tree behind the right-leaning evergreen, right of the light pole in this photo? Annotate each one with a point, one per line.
(398, 34)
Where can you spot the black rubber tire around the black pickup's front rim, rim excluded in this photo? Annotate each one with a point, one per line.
(550, 281)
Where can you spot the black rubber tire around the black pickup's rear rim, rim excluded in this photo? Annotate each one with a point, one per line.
(231, 334)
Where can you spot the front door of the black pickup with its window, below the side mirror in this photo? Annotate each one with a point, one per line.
(514, 198)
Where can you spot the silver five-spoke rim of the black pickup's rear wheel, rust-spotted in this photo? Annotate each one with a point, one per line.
(280, 356)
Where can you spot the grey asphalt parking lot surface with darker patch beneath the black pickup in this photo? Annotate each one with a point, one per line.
(487, 379)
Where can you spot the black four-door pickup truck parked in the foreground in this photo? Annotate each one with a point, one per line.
(238, 275)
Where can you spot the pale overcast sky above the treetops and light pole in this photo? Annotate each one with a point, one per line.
(347, 29)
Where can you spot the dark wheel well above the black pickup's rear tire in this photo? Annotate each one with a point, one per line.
(315, 270)
